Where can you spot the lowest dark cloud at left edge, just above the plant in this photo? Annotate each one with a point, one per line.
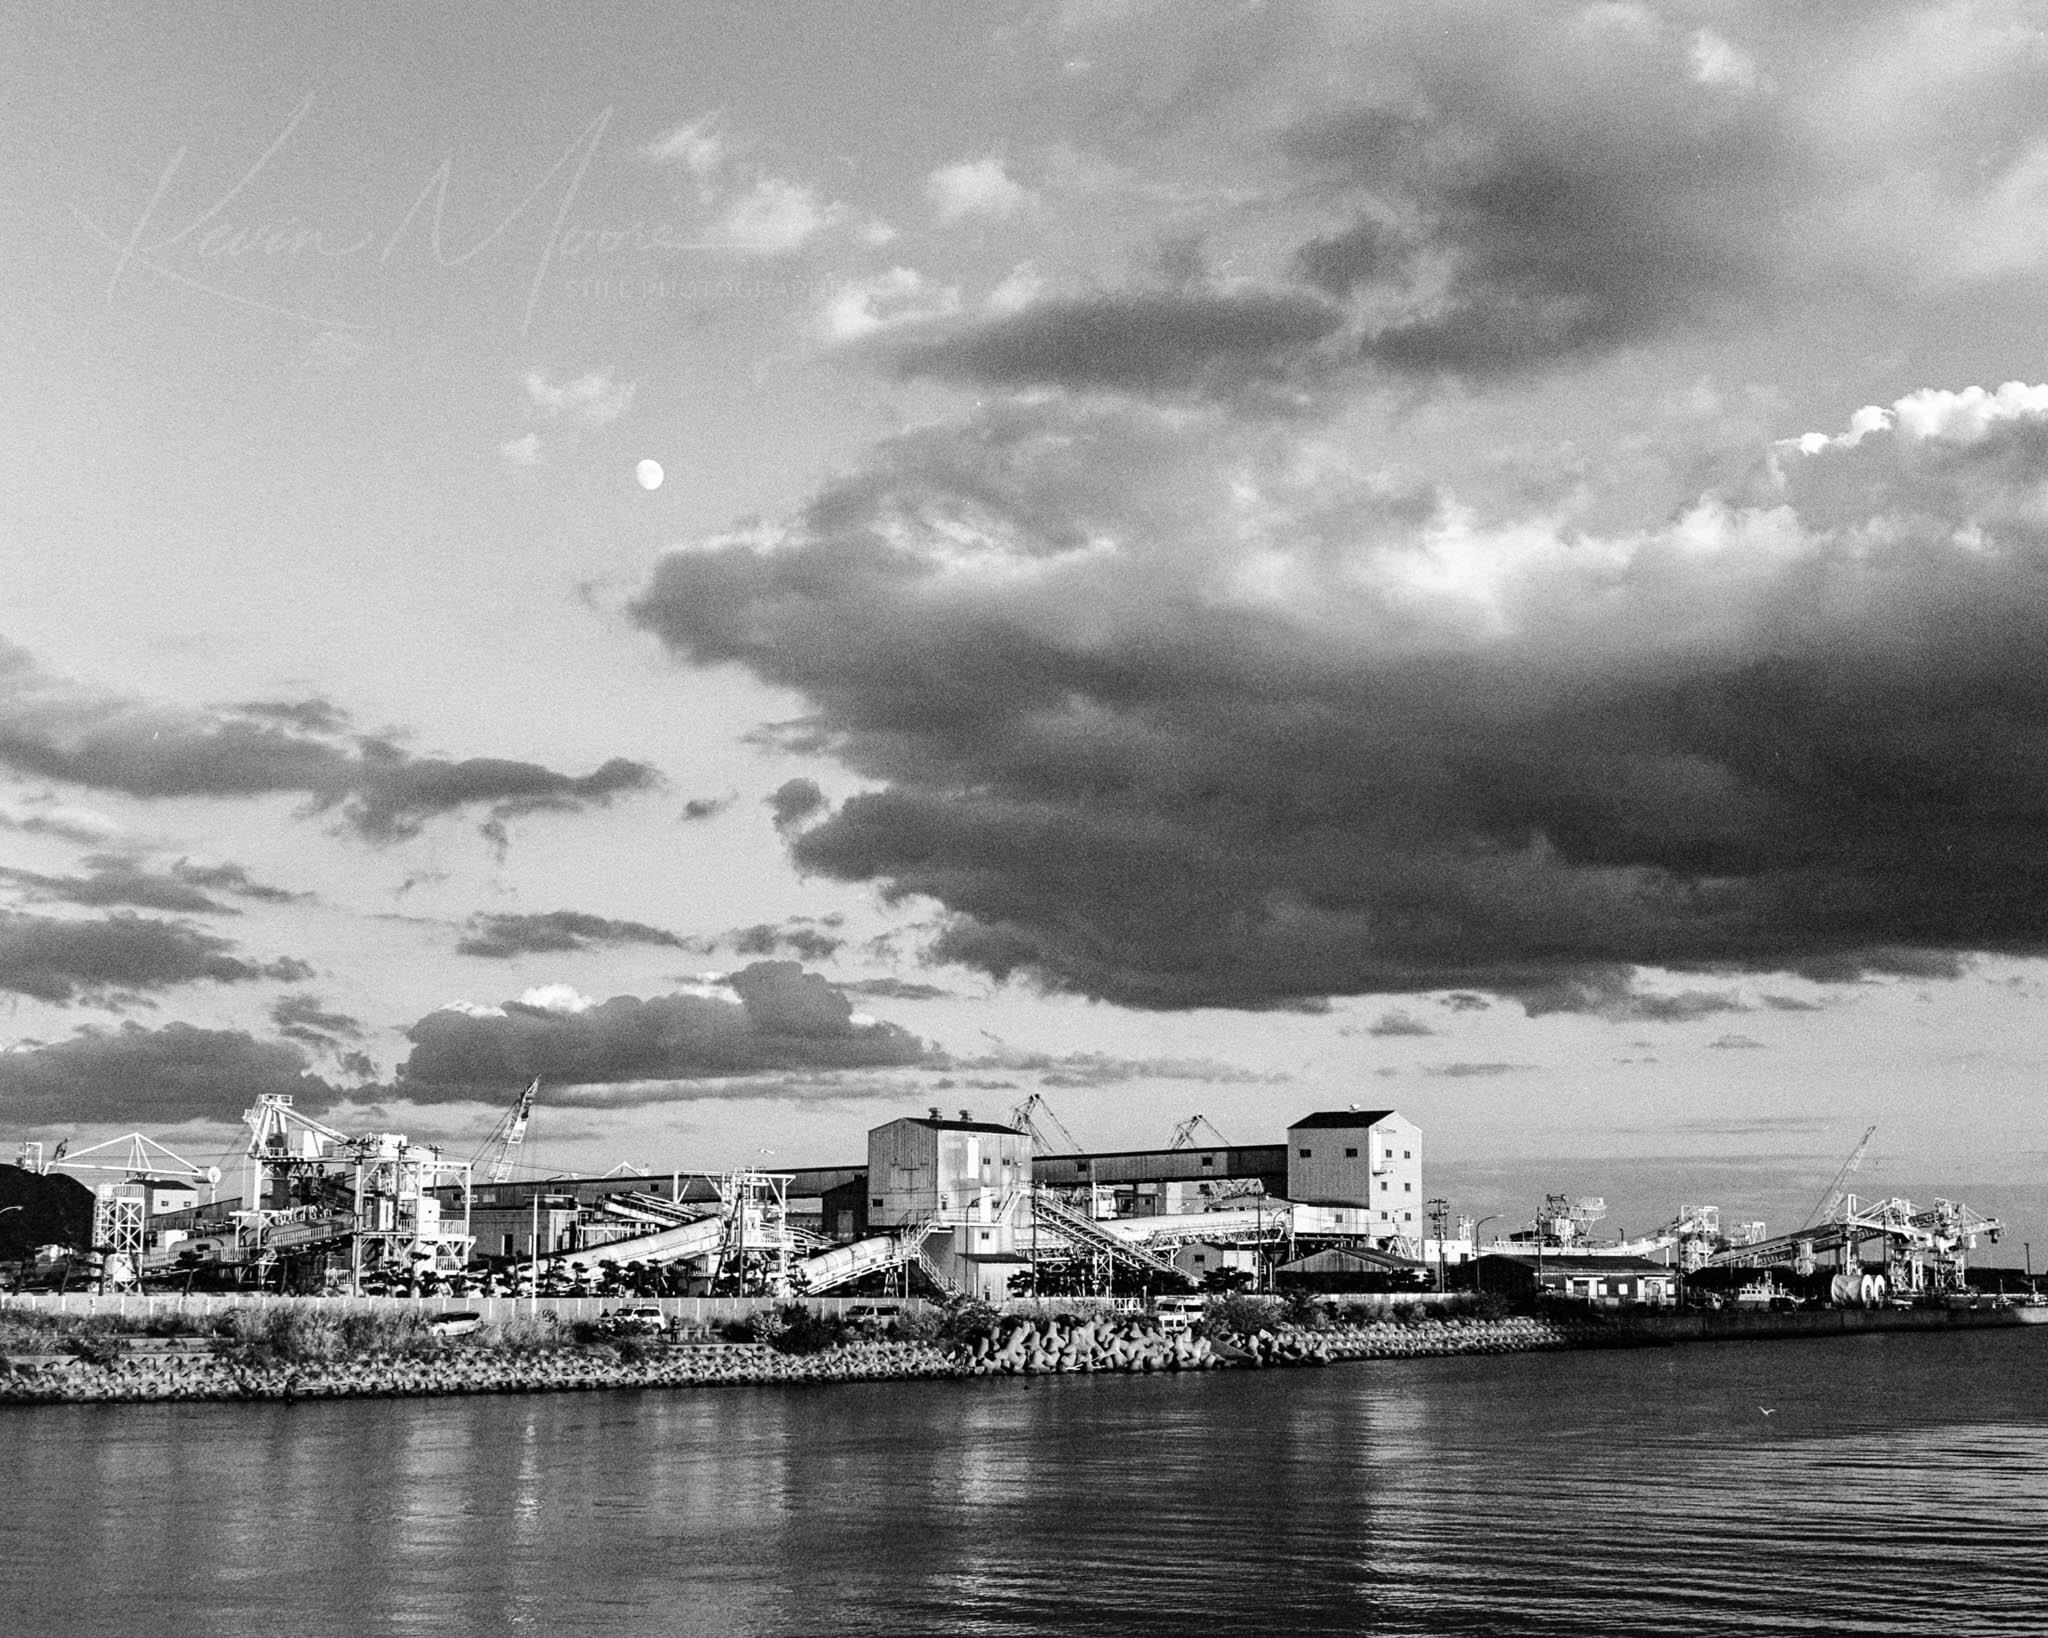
(151, 1078)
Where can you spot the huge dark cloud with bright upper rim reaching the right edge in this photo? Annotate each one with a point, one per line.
(1783, 734)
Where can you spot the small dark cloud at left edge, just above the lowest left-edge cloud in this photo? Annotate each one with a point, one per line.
(120, 955)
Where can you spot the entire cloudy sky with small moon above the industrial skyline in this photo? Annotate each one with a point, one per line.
(1207, 558)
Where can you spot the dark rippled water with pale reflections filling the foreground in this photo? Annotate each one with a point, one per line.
(1897, 1485)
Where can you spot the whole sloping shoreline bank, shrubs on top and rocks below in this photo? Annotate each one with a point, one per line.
(302, 1350)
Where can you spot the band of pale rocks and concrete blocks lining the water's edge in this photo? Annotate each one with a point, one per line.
(1015, 1346)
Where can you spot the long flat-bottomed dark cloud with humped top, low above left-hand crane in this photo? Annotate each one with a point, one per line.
(779, 1019)
